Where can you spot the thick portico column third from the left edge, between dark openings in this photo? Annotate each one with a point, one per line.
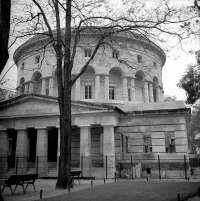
(42, 150)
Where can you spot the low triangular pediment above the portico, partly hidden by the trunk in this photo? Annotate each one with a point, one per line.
(36, 105)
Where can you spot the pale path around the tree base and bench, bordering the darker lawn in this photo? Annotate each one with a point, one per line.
(48, 189)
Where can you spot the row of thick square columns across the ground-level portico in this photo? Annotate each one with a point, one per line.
(42, 149)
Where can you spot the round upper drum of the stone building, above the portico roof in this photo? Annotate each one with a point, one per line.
(128, 72)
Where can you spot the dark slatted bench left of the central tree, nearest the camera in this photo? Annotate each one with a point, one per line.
(20, 180)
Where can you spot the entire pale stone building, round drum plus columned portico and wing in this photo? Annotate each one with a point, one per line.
(120, 122)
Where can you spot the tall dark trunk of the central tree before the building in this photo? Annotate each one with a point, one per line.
(64, 97)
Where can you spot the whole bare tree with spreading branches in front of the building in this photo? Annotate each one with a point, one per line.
(64, 24)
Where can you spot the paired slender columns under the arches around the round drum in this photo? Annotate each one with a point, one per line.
(147, 89)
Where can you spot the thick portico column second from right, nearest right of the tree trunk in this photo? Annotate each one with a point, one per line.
(85, 149)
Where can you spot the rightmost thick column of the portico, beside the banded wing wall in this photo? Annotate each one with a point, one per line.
(109, 151)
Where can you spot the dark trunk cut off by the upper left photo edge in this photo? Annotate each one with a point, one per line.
(5, 7)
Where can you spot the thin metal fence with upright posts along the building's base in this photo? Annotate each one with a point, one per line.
(149, 163)
